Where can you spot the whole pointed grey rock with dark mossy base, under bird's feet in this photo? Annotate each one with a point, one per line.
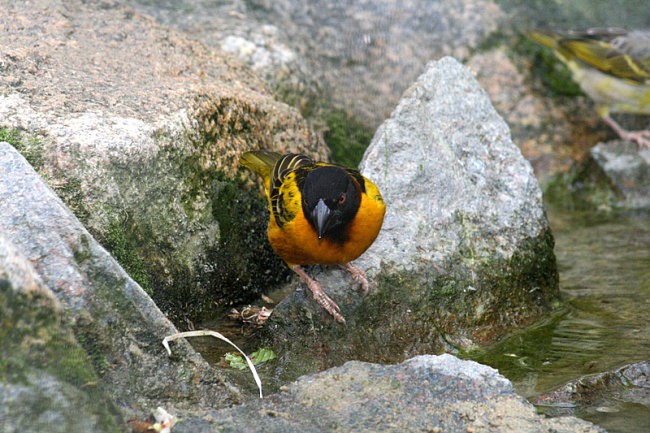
(465, 243)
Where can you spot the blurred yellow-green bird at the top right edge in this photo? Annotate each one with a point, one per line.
(612, 66)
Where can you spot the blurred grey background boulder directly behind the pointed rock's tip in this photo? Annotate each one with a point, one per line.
(358, 56)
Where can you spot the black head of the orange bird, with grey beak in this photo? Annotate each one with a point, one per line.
(331, 199)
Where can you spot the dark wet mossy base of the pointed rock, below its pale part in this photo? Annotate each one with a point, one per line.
(461, 308)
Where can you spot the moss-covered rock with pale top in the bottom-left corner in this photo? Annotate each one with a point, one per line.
(48, 383)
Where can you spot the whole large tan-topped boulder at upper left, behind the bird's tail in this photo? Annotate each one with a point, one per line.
(139, 133)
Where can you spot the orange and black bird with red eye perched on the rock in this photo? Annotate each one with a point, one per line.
(320, 213)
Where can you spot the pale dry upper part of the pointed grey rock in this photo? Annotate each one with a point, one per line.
(455, 184)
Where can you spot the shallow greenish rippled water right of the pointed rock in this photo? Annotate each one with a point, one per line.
(604, 264)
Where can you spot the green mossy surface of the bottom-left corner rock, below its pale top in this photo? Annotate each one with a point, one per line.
(35, 342)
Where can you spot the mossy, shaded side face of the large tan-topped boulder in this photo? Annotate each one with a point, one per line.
(183, 225)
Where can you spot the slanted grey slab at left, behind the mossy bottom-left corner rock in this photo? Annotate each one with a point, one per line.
(116, 323)
